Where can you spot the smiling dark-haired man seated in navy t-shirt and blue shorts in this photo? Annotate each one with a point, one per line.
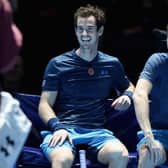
(75, 88)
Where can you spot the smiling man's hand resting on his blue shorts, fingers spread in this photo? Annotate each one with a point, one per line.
(59, 137)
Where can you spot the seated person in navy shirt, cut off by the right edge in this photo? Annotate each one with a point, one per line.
(152, 117)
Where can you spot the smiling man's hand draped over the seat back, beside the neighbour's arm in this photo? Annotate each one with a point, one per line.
(121, 103)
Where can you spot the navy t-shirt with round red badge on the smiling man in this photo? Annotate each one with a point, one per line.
(82, 95)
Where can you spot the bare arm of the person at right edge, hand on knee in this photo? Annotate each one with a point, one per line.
(141, 104)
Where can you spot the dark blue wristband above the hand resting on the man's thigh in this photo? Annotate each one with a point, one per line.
(54, 124)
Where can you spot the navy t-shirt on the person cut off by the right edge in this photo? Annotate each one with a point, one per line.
(156, 71)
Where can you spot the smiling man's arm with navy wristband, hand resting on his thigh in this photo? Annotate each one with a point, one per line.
(50, 119)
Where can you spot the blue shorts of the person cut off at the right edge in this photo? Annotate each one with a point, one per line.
(160, 135)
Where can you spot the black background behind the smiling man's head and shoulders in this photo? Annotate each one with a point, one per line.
(47, 27)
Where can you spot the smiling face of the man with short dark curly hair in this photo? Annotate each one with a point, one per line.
(86, 31)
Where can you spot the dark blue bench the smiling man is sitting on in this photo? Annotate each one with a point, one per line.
(123, 125)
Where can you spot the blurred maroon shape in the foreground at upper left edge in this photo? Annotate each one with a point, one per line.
(10, 38)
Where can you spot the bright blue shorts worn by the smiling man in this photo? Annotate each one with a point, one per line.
(93, 139)
